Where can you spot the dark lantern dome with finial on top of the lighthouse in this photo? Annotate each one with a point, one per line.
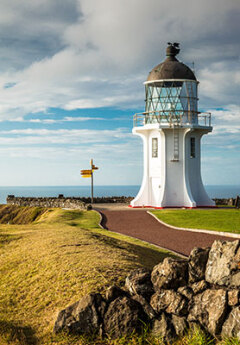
(171, 68)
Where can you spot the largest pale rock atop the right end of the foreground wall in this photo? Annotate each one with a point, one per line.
(223, 262)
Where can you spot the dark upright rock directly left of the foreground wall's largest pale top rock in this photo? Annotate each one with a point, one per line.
(197, 264)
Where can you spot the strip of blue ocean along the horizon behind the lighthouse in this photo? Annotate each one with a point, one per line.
(224, 191)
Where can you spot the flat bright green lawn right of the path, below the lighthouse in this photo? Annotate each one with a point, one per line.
(227, 220)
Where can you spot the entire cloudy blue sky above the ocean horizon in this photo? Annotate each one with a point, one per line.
(71, 79)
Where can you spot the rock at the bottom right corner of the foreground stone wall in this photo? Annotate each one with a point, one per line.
(231, 327)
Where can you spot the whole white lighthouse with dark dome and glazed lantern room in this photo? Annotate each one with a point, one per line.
(171, 128)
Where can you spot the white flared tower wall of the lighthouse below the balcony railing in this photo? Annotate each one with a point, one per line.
(168, 183)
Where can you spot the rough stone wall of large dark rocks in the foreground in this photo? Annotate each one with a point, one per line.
(176, 295)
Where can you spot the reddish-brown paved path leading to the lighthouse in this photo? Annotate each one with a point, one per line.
(141, 225)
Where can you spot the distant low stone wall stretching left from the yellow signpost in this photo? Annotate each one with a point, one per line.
(61, 201)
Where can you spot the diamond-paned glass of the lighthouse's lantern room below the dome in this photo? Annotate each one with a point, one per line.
(173, 98)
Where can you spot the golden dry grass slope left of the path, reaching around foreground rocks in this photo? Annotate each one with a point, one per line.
(53, 261)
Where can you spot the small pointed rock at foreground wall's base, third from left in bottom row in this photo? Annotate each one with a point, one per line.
(162, 327)
